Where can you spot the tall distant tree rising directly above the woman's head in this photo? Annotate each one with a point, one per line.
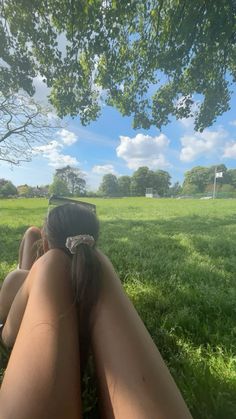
(73, 180)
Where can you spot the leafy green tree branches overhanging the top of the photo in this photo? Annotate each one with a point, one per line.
(180, 48)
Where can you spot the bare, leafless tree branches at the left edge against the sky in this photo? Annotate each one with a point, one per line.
(23, 125)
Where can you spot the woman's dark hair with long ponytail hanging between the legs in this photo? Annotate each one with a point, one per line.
(70, 220)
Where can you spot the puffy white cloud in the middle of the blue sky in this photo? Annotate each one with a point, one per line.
(143, 150)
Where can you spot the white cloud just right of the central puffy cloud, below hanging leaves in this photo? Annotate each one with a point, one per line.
(199, 144)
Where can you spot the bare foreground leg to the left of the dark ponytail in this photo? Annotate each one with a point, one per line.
(42, 379)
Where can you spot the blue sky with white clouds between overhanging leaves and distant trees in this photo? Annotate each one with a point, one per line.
(110, 145)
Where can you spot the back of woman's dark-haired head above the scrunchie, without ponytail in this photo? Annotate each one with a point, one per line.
(69, 220)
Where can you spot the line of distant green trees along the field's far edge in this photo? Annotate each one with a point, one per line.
(69, 181)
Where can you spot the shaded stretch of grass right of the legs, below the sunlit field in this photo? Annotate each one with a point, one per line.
(184, 290)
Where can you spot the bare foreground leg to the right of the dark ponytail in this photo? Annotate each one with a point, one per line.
(134, 381)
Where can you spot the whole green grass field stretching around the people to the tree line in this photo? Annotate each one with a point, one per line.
(177, 260)
